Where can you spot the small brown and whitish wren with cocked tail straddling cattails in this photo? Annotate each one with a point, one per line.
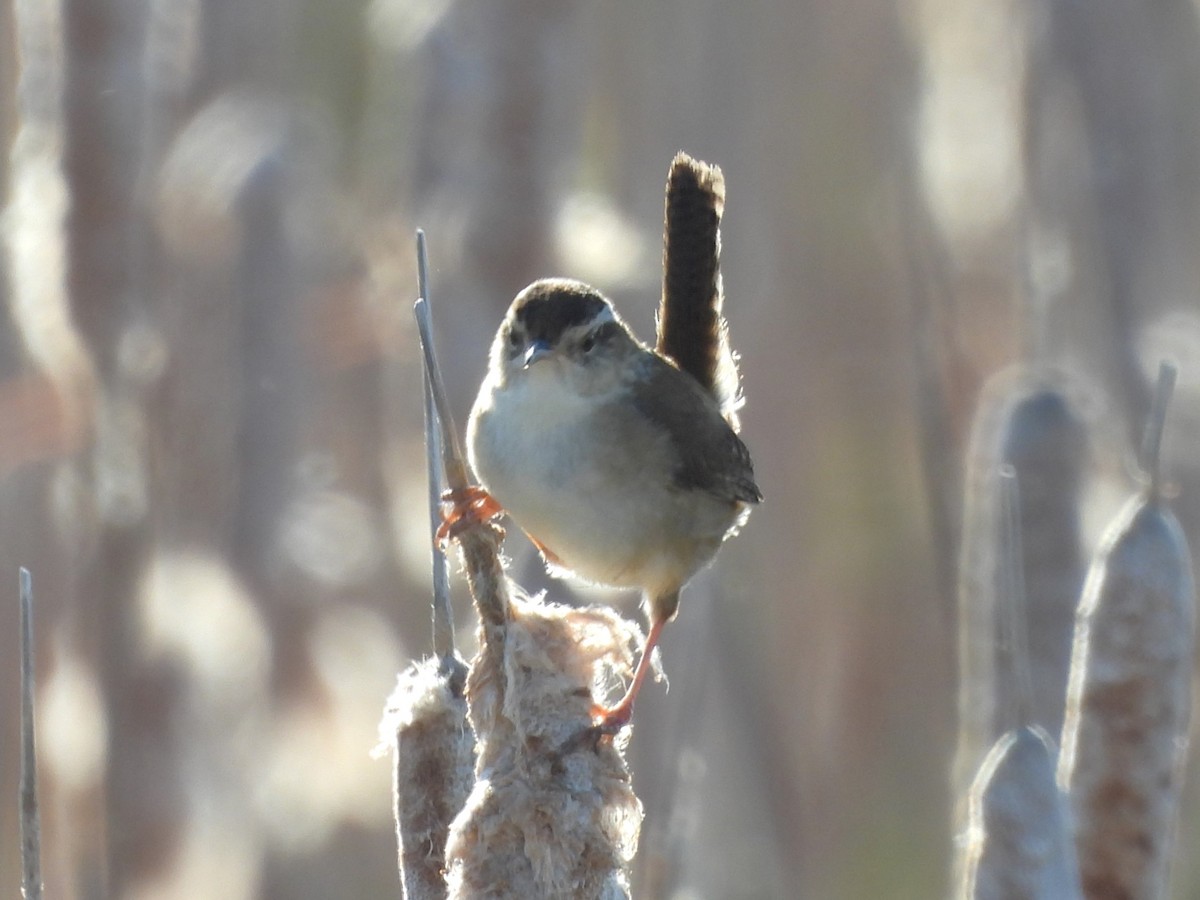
(622, 463)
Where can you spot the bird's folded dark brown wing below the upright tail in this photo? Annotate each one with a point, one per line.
(710, 457)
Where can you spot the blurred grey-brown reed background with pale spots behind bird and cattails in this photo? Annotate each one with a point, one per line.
(211, 411)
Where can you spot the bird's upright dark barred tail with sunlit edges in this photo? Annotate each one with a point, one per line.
(692, 329)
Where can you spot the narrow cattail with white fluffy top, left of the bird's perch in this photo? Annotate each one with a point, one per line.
(434, 751)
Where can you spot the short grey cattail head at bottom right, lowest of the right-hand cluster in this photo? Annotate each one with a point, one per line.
(1018, 839)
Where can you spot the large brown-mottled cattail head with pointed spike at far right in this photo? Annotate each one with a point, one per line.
(1125, 739)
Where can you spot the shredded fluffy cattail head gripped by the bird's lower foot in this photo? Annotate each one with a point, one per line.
(553, 813)
